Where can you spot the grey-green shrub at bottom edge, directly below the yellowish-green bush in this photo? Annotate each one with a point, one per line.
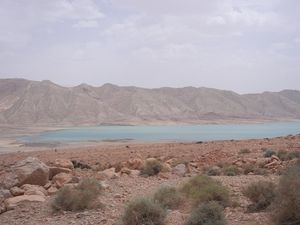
(210, 213)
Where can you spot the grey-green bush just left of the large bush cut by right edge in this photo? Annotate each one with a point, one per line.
(261, 194)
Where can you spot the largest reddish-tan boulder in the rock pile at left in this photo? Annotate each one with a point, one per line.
(31, 171)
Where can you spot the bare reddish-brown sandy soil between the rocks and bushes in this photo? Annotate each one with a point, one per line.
(122, 189)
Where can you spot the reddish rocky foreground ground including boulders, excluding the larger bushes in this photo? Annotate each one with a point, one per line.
(28, 181)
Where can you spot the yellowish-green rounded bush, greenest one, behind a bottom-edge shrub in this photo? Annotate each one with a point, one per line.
(204, 189)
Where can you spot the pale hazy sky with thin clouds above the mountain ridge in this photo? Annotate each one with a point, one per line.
(241, 45)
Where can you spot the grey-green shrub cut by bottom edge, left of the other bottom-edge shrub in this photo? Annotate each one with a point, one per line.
(143, 212)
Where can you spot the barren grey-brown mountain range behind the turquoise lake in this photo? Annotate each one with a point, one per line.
(24, 102)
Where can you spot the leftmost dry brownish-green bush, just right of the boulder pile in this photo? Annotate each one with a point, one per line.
(77, 198)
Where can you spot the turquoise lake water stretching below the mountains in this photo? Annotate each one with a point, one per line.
(169, 132)
